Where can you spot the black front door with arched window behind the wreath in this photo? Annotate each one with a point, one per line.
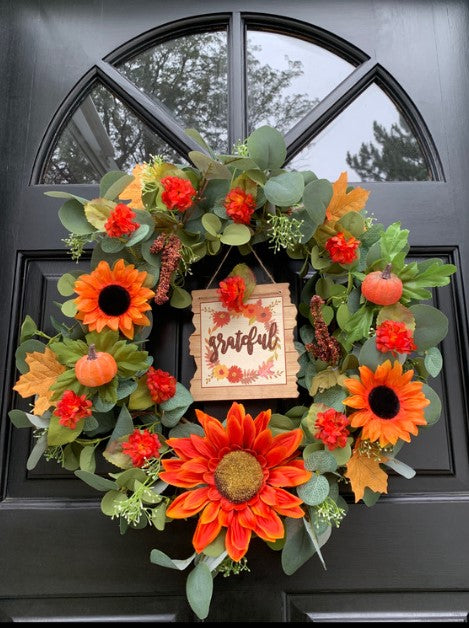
(379, 90)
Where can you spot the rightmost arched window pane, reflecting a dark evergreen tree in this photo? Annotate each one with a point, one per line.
(370, 140)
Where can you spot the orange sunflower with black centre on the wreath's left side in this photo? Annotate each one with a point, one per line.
(114, 298)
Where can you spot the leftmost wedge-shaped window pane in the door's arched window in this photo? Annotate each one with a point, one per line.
(102, 135)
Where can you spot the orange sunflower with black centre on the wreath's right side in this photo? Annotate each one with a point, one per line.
(389, 405)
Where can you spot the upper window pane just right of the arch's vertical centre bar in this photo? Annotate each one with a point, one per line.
(287, 77)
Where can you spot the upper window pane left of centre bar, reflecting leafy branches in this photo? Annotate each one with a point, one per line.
(189, 76)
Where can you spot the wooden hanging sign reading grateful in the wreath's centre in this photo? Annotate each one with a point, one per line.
(246, 355)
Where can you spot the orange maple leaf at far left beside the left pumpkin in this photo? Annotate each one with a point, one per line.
(44, 368)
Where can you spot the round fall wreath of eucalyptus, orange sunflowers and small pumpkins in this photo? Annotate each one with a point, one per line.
(366, 347)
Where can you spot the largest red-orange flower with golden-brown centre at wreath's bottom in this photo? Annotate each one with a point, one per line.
(234, 476)
